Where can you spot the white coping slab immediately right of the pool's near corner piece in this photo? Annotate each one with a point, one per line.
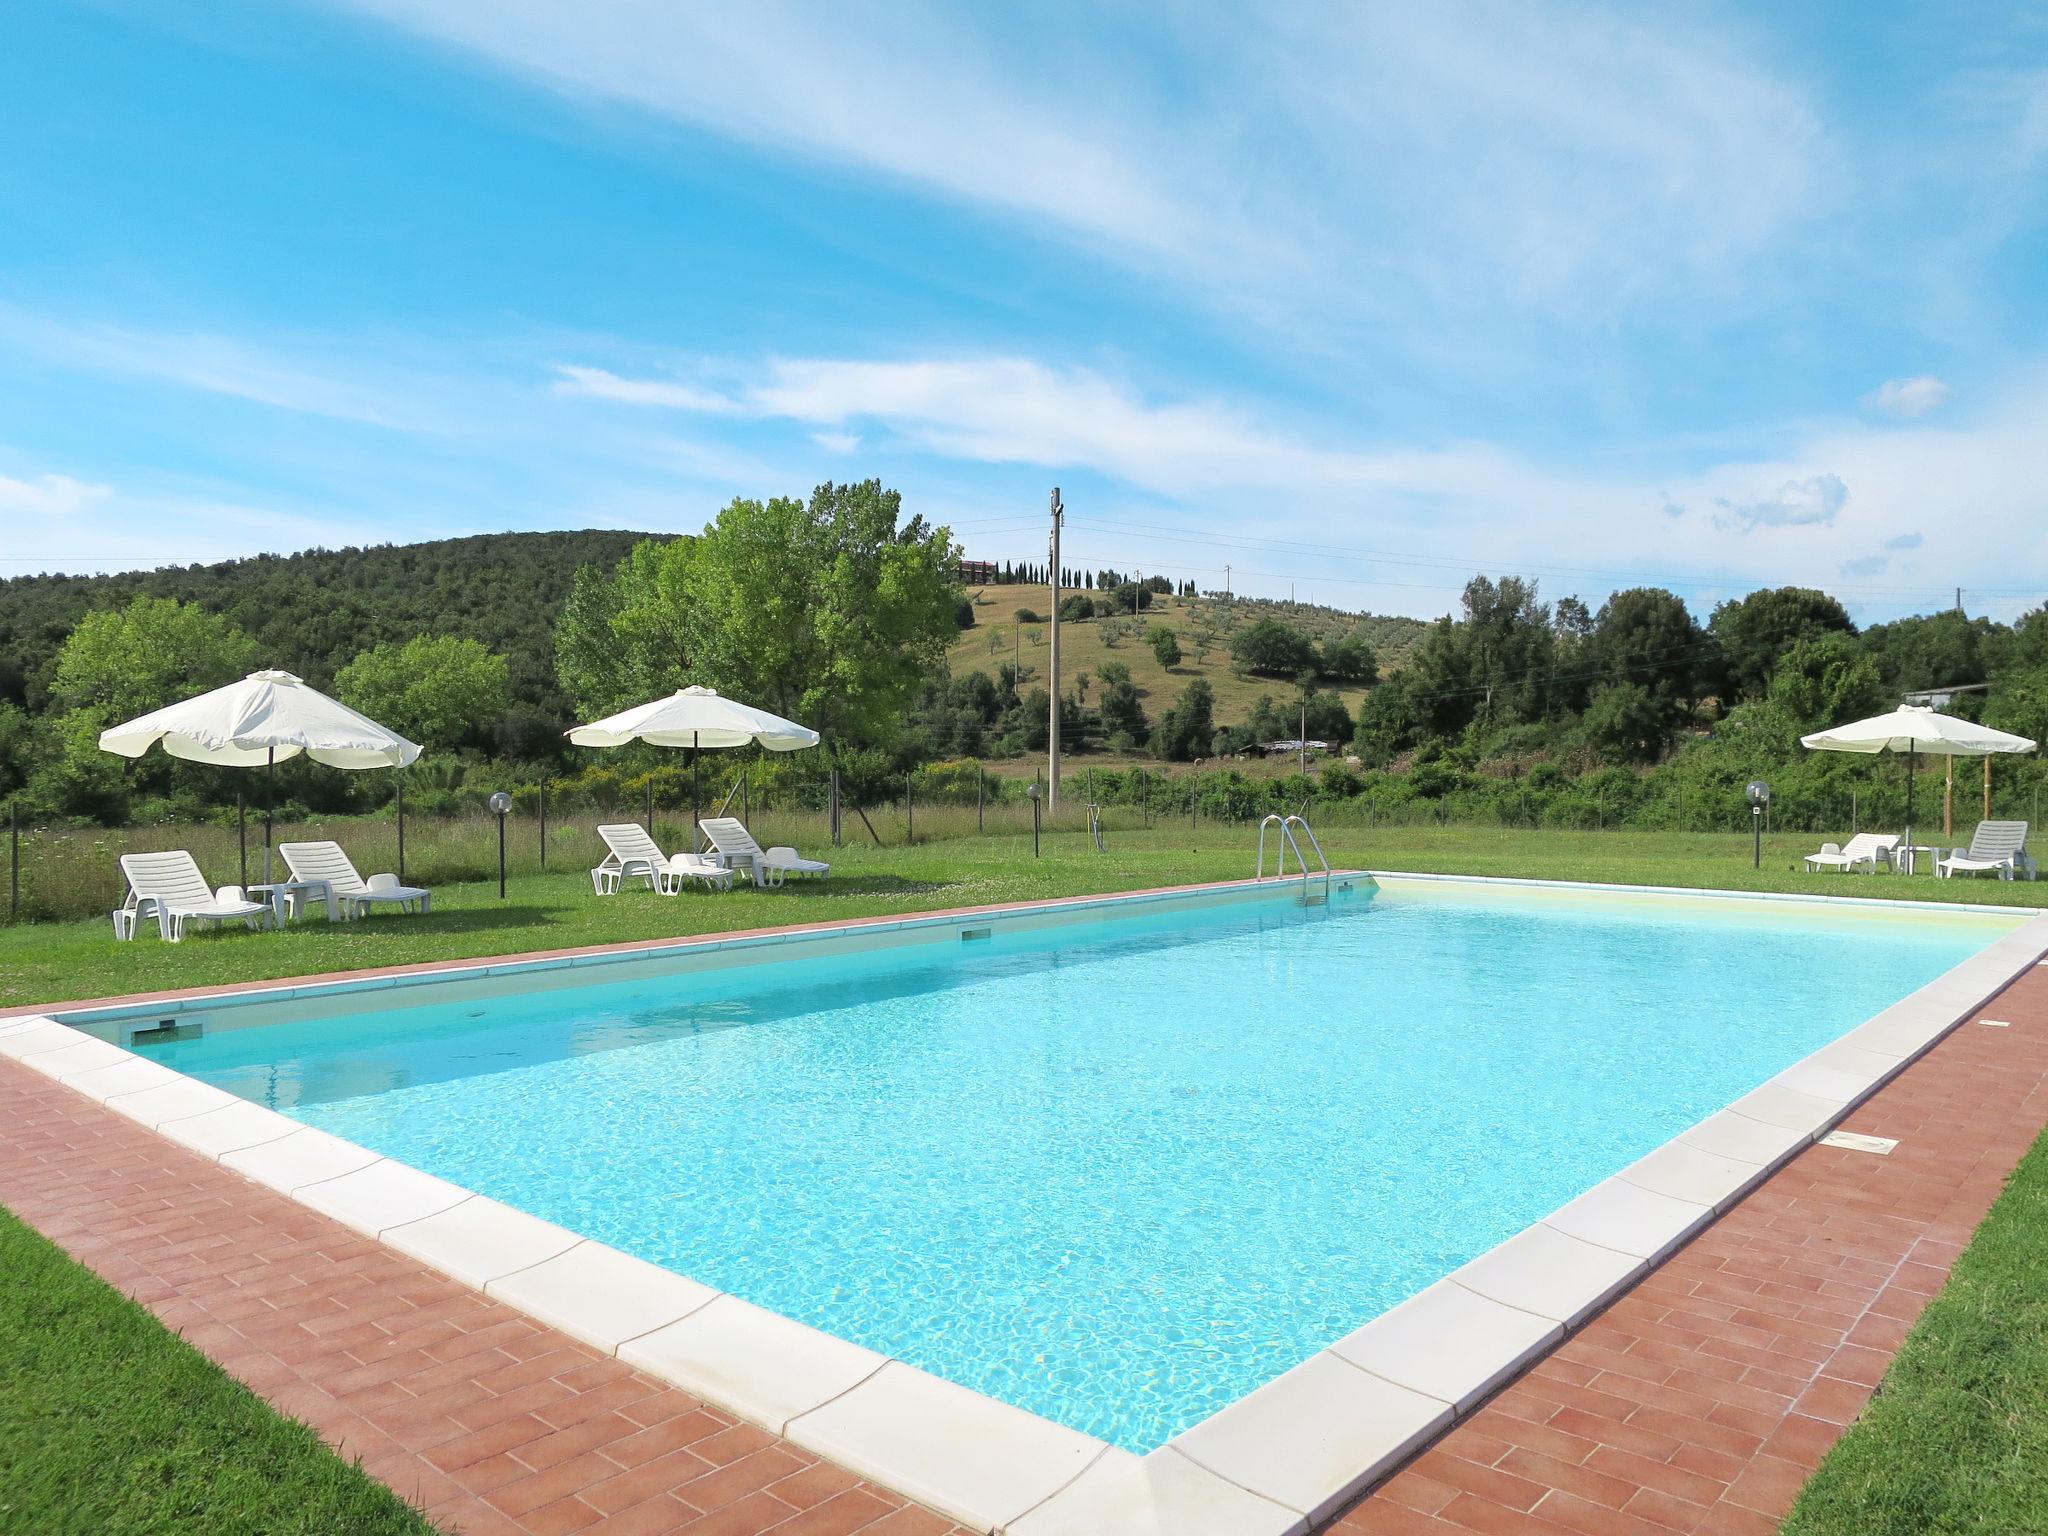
(1316, 1437)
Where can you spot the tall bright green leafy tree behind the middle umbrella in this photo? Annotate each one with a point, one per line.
(830, 613)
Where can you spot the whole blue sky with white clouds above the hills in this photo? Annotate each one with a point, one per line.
(1357, 300)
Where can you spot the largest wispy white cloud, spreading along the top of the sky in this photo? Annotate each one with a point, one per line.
(1330, 167)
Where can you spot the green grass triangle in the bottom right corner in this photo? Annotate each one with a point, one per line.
(1957, 1441)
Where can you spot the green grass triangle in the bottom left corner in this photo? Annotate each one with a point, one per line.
(114, 1426)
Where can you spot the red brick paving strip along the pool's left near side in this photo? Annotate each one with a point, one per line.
(486, 1418)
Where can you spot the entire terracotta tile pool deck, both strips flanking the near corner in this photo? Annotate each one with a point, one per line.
(1699, 1402)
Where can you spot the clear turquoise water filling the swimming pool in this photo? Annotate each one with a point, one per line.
(1119, 1172)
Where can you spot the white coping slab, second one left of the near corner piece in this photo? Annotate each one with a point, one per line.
(765, 1367)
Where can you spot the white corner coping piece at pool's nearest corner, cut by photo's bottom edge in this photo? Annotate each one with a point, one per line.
(1162, 1494)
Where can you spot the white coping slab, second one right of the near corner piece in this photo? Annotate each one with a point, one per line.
(1449, 1342)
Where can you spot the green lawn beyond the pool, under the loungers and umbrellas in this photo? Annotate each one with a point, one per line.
(44, 964)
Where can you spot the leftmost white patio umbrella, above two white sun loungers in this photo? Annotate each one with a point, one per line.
(261, 722)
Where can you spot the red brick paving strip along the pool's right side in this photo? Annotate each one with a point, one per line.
(1705, 1398)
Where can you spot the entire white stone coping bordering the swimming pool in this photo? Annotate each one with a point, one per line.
(1279, 1461)
